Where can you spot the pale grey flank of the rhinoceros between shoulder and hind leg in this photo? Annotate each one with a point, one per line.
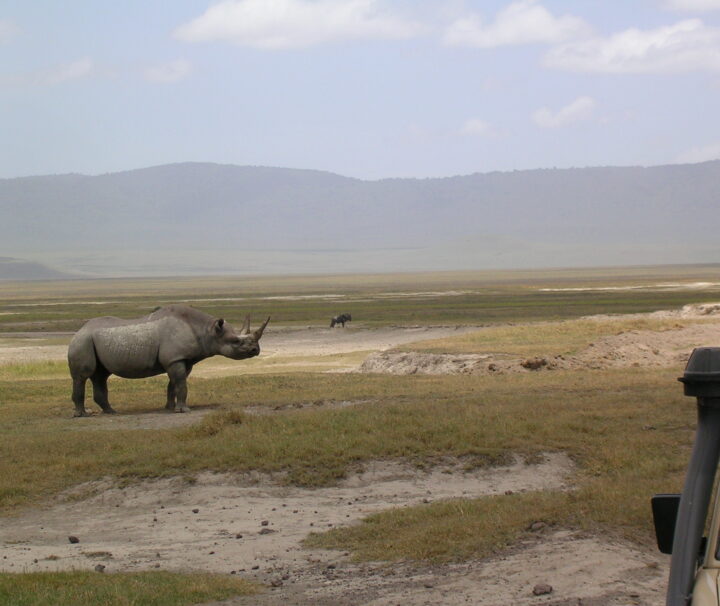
(129, 351)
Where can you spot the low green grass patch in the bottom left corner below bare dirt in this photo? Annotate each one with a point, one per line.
(118, 589)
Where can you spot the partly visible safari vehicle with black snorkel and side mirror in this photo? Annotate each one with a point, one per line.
(681, 519)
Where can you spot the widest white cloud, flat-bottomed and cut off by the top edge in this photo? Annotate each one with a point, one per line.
(284, 24)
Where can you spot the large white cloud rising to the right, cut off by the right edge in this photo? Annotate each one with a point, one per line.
(689, 45)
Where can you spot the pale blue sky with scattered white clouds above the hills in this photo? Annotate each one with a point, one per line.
(364, 88)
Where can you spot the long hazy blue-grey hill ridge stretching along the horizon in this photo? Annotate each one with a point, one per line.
(198, 218)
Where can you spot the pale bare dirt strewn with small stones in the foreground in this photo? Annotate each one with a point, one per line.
(251, 526)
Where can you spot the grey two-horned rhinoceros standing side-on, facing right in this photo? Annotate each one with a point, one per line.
(170, 340)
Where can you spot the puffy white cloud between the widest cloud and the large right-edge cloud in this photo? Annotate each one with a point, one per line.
(523, 22)
